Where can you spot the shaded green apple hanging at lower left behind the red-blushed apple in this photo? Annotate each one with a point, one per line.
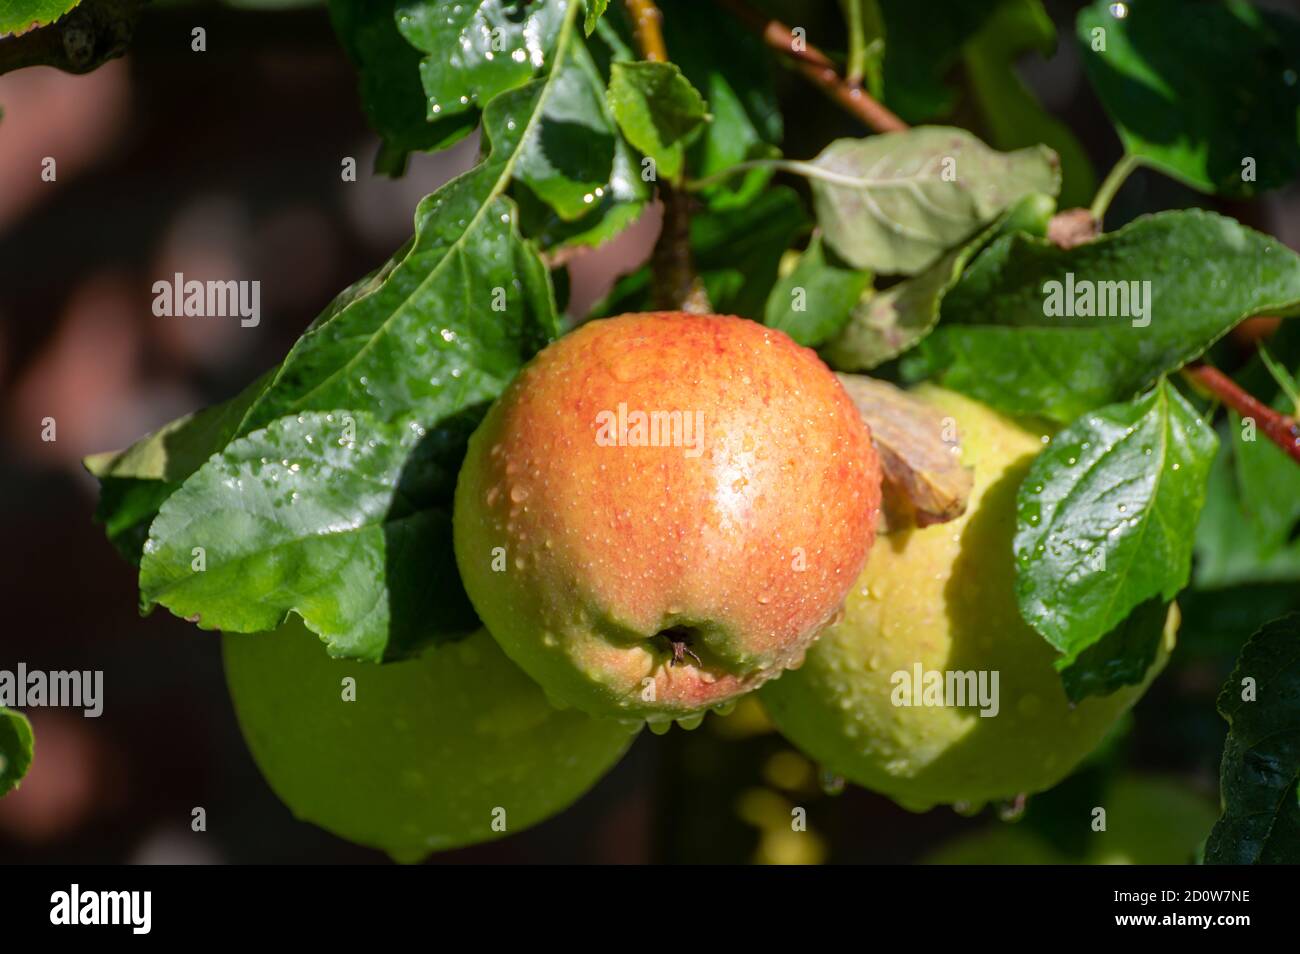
(453, 748)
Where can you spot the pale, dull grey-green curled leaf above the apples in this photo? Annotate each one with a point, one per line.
(896, 203)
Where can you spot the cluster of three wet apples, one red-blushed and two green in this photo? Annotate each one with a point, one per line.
(662, 514)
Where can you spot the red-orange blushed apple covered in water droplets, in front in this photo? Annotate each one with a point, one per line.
(664, 510)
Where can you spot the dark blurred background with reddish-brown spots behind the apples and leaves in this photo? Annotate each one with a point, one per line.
(227, 166)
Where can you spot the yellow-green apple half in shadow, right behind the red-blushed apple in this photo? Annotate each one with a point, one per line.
(944, 599)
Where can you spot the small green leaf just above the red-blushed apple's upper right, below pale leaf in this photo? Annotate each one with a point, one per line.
(817, 298)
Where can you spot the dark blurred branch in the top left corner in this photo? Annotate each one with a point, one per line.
(88, 37)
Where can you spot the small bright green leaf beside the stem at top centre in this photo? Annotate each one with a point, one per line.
(658, 111)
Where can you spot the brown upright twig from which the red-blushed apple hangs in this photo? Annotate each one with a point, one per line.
(675, 284)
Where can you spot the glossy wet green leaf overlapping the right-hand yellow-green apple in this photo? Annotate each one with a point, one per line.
(1107, 517)
